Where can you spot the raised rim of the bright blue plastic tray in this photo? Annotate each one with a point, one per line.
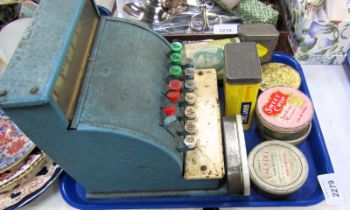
(67, 185)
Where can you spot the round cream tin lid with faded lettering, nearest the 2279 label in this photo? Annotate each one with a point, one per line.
(277, 167)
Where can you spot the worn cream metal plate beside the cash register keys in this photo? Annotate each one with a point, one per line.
(206, 161)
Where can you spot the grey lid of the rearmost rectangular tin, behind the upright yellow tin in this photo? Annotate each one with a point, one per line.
(248, 32)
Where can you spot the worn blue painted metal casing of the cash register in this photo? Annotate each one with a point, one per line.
(114, 145)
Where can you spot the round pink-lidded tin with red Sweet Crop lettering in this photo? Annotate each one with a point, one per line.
(284, 110)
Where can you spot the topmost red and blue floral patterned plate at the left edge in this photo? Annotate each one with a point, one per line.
(14, 145)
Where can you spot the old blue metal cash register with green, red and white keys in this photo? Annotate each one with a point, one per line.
(96, 94)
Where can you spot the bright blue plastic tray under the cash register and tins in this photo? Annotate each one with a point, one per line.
(313, 147)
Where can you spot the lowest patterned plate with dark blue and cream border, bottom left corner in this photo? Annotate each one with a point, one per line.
(28, 191)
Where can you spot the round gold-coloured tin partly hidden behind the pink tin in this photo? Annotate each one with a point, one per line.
(279, 74)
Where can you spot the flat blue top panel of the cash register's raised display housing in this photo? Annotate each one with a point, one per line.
(40, 54)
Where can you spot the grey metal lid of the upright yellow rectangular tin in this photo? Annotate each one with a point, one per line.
(242, 64)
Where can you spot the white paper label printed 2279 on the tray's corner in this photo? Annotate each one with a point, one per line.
(331, 189)
